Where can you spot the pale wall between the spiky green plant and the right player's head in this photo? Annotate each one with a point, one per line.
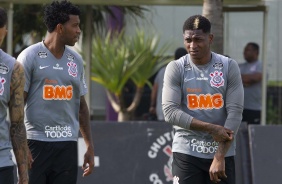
(166, 22)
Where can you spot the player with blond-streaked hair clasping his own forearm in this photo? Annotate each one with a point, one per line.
(203, 99)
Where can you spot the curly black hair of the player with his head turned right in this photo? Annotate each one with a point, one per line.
(58, 13)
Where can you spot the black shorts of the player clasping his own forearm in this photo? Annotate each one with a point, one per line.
(191, 169)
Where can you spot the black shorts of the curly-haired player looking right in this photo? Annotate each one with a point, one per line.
(54, 162)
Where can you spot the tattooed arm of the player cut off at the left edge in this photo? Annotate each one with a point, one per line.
(17, 130)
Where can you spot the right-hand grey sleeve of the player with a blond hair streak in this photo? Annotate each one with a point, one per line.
(234, 97)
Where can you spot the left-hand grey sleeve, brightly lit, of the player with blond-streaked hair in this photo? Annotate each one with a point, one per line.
(172, 96)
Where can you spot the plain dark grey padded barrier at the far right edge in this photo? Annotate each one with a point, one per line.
(266, 153)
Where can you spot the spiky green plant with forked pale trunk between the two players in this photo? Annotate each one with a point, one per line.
(117, 60)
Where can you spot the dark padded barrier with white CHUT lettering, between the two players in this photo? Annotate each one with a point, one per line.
(131, 153)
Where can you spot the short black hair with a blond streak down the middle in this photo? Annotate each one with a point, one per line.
(197, 22)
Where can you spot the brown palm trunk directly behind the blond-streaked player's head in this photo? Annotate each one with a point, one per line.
(212, 9)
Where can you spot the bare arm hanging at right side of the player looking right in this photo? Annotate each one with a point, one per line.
(85, 129)
